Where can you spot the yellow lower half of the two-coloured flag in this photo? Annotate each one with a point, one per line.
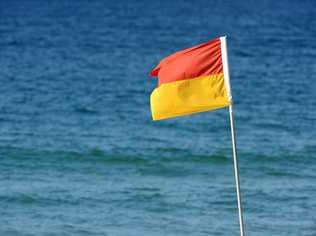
(185, 97)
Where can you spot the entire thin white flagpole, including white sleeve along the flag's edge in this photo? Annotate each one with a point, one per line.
(232, 128)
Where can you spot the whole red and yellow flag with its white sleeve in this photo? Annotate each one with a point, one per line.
(192, 80)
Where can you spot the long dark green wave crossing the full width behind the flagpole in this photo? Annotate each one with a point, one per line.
(153, 156)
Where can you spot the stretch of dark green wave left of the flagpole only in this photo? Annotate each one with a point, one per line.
(114, 157)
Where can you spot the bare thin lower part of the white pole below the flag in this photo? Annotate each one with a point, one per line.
(240, 212)
